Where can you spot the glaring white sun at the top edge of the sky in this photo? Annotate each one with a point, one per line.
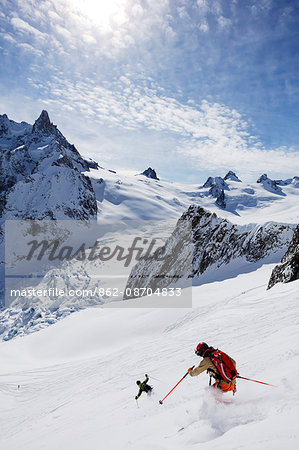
(106, 14)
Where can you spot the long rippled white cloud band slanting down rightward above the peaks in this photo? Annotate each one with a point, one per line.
(209, 134)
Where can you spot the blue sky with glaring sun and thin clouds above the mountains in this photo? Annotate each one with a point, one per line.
(191, 88)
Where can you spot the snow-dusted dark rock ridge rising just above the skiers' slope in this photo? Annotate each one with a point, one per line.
(220, 250)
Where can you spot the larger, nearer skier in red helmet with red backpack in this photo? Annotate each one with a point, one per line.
(218, 365)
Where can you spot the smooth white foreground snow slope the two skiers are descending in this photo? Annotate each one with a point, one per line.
(77, 377)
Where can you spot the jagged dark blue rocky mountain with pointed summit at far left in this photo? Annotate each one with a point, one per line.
(42, 174)
